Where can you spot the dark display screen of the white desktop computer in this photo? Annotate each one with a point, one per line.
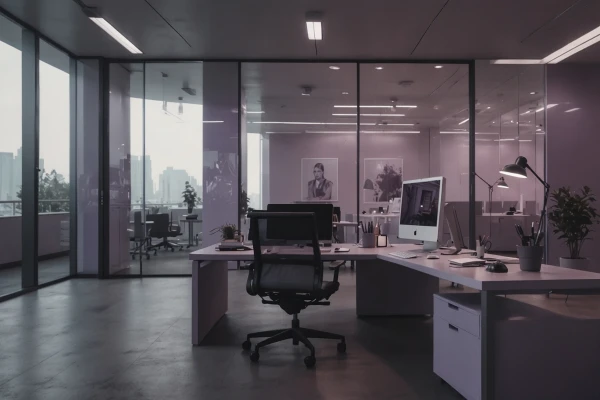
(420, 203)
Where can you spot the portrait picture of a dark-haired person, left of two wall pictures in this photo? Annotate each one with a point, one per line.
(319, 178)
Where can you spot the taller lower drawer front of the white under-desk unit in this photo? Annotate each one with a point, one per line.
(457, 358)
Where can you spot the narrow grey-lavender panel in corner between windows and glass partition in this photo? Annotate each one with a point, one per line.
(88, 137)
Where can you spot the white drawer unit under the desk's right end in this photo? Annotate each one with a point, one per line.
(456, 343)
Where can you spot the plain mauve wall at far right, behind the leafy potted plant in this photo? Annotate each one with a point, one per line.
(572, 148)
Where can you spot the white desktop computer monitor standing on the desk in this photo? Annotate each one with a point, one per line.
(421, 210)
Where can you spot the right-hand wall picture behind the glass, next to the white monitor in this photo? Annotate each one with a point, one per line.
(382, 179)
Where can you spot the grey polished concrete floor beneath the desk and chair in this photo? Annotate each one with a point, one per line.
(130, 339)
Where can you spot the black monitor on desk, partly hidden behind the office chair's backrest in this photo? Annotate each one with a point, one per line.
(280, 230)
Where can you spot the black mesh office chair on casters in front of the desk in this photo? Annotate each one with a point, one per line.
(291, 278)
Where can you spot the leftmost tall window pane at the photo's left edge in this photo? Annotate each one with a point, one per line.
(10, 156)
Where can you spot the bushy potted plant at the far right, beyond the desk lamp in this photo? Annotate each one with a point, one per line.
(572, 215)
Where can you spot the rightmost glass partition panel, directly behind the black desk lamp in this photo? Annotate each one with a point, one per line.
(510, 115)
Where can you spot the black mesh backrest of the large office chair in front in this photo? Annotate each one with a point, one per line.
(286, 269)
